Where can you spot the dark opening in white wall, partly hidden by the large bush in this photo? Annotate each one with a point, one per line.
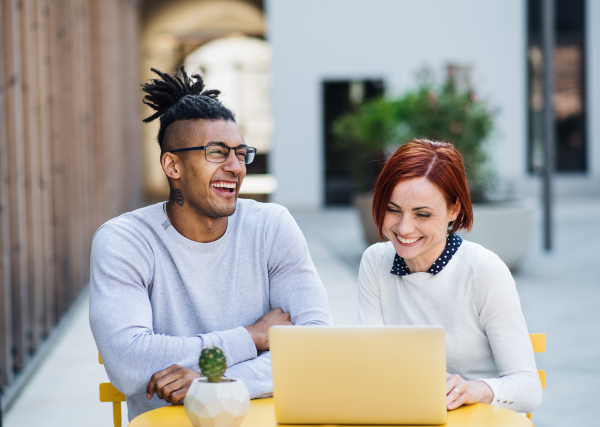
(340, 97)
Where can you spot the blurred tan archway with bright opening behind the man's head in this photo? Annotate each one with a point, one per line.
(224, 41)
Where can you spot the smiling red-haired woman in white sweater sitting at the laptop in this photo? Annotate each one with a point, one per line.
(425, 274)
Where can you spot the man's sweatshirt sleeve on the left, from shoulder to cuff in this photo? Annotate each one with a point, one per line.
(121, 317)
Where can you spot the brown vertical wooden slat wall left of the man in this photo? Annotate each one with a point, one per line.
(69, 154)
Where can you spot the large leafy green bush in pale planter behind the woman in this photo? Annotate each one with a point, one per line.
(448, 111)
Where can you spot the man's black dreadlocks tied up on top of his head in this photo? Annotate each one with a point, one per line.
(178, 97)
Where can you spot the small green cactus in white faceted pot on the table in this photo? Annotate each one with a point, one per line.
(215, 401)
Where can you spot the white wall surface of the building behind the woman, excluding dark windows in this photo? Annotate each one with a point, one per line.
(317, 40)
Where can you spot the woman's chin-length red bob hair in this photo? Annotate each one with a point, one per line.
(440, 163)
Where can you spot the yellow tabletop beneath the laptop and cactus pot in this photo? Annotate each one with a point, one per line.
(261, 414)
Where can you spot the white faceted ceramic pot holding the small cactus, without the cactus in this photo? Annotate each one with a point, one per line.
(223, 404)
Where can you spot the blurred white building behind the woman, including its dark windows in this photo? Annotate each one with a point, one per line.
(323, 49)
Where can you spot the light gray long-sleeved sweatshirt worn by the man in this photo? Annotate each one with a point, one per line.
(158, 298)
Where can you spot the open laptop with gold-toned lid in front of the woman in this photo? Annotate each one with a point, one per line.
(359, 374)
